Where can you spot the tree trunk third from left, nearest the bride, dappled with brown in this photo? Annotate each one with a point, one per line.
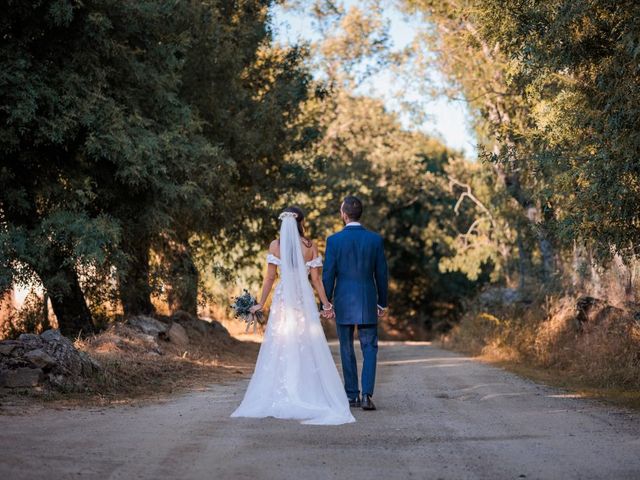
(182, 292)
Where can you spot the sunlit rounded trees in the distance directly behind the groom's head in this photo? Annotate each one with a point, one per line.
(402, 179)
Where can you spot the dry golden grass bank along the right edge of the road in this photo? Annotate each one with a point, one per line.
(541, 341)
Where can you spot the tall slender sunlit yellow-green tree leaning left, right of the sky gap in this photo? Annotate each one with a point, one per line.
(478, 69)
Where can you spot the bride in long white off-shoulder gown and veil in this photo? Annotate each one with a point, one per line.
(295, 376)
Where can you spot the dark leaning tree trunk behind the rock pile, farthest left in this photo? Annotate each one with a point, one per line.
(67, 299)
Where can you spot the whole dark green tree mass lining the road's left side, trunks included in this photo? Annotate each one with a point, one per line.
(109, 146)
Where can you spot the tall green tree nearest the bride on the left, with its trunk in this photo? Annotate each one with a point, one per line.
(248, 93)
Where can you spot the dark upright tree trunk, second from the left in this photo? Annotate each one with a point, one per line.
(135, 289)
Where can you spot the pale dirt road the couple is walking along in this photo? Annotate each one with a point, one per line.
(440, 415)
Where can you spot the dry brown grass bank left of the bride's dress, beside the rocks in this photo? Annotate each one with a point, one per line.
(137, 369)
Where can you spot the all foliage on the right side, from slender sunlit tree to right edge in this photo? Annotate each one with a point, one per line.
(553, 85)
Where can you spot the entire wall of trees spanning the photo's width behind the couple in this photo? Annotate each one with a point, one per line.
(146, 146)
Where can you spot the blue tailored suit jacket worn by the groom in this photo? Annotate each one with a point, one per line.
(355, 275)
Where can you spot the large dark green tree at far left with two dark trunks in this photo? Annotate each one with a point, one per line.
(95, 142)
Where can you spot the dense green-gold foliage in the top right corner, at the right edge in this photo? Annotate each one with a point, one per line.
(582, 98)
